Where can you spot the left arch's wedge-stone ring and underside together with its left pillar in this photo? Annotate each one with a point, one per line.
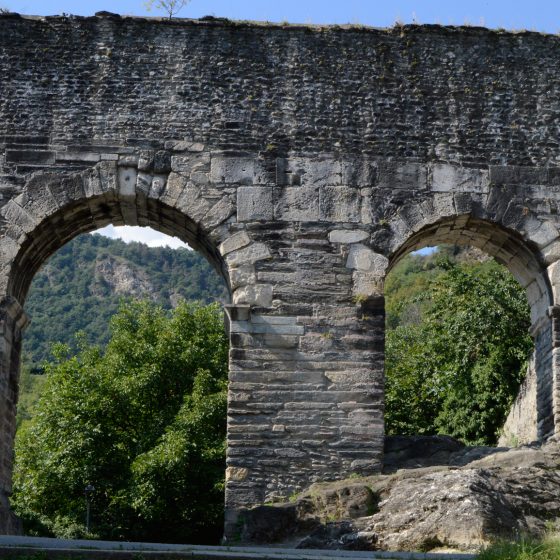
(54, 207)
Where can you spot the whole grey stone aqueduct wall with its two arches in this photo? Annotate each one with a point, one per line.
(303, 162)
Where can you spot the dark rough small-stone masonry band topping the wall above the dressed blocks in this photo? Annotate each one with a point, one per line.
(430, 93)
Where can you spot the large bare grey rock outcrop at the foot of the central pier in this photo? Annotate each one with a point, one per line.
(480, 495)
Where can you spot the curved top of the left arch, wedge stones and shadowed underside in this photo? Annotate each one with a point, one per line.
(53, 208)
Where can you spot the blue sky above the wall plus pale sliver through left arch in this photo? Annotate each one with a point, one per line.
(538, 15)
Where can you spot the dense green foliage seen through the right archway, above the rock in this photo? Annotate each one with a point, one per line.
(456, 365)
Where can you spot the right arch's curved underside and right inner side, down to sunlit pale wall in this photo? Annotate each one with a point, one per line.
(532, 414)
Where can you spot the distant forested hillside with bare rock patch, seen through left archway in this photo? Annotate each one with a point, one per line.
(81, 286)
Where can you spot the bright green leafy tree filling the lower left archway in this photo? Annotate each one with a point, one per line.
(143, 422)
